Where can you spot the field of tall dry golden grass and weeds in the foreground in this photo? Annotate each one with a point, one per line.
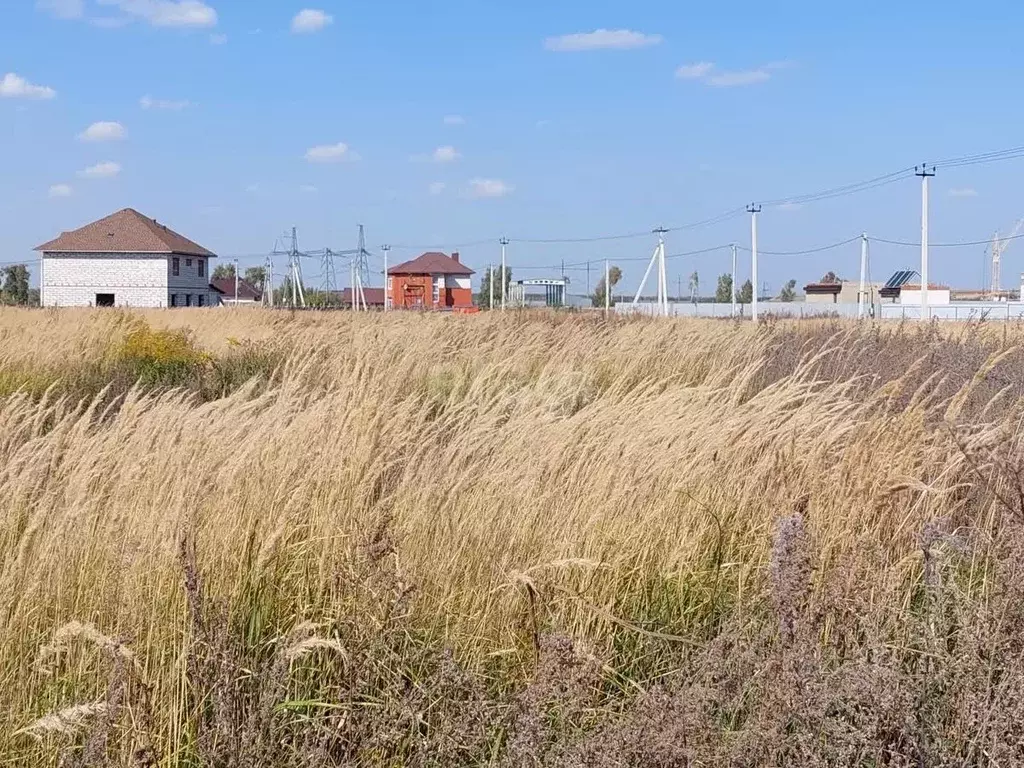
(236, 538)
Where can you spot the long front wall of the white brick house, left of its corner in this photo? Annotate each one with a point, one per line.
(74, 280)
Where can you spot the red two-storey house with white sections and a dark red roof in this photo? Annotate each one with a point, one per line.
(433, 281)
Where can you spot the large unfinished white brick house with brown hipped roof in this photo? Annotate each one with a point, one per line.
(126, 260)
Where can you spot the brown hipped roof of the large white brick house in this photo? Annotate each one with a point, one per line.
(124, 232)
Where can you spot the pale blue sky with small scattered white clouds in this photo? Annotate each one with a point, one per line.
(460, 121)
